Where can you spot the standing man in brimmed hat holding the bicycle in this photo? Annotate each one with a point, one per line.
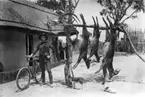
(44, 57)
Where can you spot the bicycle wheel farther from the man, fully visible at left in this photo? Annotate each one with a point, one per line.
(23, 78)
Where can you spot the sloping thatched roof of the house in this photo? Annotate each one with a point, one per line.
(23, 14)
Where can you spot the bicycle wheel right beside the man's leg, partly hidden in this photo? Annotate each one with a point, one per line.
(37, 73)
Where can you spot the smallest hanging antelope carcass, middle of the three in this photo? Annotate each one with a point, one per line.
(95, 41)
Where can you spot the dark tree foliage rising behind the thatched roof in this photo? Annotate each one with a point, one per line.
(63, 8)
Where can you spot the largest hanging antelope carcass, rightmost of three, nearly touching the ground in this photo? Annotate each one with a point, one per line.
(108, 52)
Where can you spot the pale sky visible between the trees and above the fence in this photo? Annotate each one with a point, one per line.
(90, 8)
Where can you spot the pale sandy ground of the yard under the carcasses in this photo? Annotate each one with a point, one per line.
(130, 82)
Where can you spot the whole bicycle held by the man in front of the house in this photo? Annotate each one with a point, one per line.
(25, 74)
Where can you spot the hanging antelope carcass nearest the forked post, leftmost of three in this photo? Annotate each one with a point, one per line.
(84, 45)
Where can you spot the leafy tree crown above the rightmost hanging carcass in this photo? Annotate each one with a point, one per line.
(117, 9)
